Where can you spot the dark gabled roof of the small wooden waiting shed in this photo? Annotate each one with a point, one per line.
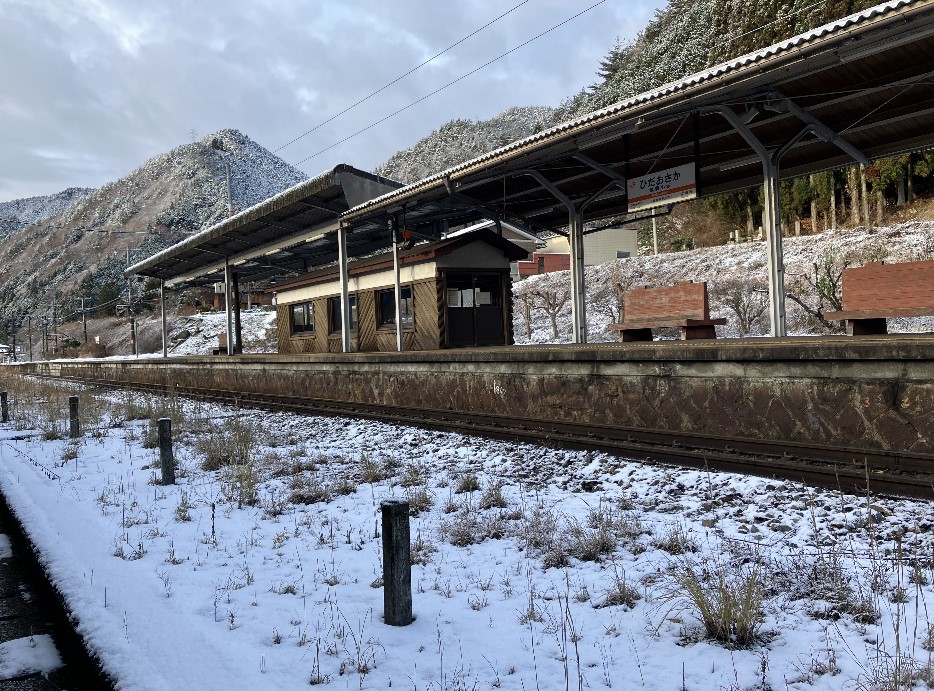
(424, 252)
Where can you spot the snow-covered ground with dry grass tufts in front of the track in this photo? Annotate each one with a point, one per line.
(534, 568)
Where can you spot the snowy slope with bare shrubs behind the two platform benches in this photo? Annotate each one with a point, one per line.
(737, 280)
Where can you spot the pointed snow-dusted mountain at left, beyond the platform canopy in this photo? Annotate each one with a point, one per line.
(81, 251)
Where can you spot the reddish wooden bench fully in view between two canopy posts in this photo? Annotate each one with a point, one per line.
(683, 305)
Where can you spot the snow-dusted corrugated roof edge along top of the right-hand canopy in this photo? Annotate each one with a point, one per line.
(730, 66)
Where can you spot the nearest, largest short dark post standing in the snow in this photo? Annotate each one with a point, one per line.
(397, 566)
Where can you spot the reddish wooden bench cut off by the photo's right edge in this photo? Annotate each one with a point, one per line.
(877, 291)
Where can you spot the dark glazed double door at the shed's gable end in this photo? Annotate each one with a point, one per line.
(475, 309)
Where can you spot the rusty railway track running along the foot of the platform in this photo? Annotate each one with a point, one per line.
(852, 470)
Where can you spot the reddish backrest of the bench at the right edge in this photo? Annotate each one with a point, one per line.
(879, 286)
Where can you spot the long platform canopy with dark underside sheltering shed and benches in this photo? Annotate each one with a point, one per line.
(850, 91)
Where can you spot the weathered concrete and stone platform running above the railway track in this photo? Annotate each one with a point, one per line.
(871, 393)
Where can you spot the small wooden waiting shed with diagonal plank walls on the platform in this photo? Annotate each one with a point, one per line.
(455, 293)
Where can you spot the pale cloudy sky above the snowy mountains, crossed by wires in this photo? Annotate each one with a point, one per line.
(89, 89)
